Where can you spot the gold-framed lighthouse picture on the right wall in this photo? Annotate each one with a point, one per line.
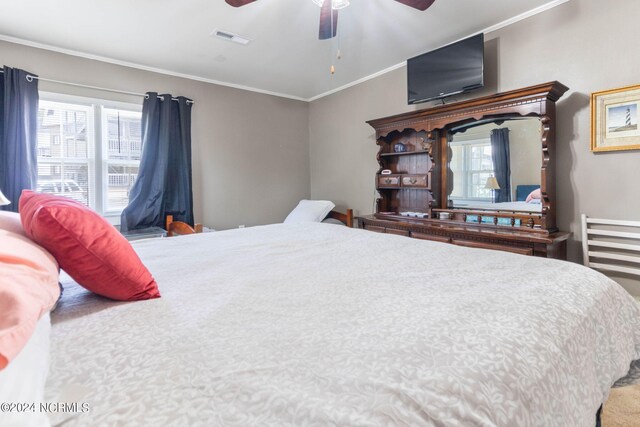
(614, 119)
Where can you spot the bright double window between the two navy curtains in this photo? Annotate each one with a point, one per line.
(89, 151)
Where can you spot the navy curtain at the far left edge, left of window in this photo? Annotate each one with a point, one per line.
(18, 134)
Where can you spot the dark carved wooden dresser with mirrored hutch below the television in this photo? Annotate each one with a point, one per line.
(427, 192)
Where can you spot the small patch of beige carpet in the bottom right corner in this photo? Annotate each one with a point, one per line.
(623, 407)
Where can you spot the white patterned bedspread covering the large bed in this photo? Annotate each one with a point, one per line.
(323, 325)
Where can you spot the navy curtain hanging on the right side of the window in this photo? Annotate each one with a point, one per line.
(163, 186)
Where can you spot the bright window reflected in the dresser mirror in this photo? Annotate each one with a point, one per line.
(472, 166)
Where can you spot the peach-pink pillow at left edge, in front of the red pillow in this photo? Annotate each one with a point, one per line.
(28, 289)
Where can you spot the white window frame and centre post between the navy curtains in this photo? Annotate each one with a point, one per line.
(97, 150)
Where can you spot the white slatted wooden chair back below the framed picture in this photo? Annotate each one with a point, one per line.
(614, 244)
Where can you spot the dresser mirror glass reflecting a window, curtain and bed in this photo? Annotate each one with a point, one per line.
(497, 166)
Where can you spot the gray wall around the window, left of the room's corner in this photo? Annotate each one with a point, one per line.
(250, 151)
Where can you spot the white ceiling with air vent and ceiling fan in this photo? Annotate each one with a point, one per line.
(284, 56)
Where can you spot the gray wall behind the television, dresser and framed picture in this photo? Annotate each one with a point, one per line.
(587, 45)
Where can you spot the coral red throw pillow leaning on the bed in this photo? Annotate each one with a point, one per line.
(86, 246)
